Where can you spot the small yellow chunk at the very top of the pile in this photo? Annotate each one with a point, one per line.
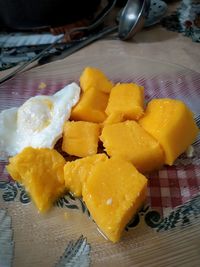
(93, 77)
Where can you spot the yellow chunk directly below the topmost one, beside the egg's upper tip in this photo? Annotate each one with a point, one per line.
(91, 106)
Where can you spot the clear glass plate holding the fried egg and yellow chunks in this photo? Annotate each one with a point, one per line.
(166, 230)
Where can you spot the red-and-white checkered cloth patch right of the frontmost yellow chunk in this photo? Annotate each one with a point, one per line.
(173, 186)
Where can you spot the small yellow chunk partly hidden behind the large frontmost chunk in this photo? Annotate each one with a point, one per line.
(76, 172)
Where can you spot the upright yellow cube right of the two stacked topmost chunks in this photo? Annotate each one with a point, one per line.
(128, 99)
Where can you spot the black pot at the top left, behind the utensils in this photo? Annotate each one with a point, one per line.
(33, 14)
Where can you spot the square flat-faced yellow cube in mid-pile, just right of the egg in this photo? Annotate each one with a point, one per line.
(80, 138)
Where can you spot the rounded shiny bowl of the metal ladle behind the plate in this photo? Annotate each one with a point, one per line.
(132, 18)
